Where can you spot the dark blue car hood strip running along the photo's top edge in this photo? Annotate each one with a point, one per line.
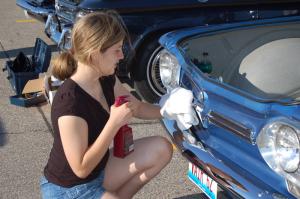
(137, 5)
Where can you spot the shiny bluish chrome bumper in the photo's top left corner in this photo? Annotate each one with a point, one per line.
(39, 11)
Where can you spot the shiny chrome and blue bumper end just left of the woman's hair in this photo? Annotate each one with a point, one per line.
(59, 33)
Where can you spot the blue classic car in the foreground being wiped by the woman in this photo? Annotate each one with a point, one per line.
(245, 79)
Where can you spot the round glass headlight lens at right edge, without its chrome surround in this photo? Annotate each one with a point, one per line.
(287, 148)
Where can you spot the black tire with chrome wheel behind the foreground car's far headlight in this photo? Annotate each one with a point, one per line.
(146, 75)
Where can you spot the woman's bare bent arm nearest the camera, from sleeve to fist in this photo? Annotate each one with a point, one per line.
(74, 137)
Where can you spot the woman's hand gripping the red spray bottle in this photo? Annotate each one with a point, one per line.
(120, 115)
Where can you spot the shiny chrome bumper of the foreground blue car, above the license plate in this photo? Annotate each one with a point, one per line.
(229, 179)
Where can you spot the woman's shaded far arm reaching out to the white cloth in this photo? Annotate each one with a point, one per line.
(142, 110)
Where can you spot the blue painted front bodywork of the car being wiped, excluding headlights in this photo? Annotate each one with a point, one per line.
(232, 120)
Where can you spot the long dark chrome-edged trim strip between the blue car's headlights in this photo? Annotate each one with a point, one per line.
(233, 126)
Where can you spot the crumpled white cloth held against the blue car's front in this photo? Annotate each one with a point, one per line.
(178, 105)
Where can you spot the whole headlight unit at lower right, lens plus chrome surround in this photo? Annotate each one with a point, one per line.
(279, 145)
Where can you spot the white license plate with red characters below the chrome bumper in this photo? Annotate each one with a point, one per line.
(203, 181)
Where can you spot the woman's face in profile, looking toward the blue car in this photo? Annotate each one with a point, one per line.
(105, 63)
